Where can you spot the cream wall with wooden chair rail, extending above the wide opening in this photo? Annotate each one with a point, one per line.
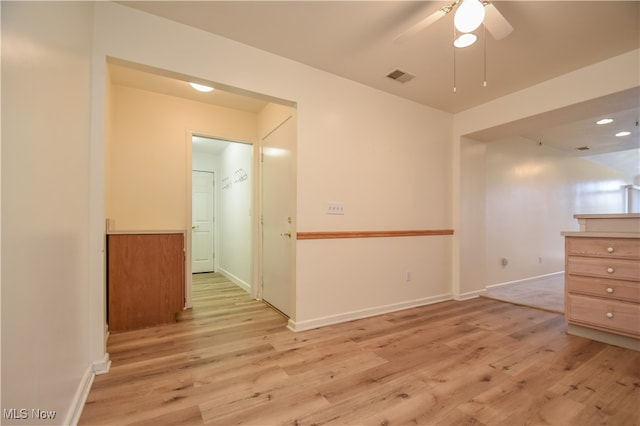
(386, 158)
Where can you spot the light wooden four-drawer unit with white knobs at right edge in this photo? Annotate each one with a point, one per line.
(602, 279)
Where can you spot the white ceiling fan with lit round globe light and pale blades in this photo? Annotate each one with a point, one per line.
(469, 15)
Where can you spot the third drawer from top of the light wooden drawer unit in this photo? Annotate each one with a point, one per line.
(603, 287)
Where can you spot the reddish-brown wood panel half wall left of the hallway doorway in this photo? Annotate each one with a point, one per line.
(145, 279)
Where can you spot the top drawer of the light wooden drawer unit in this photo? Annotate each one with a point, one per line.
(620, 248)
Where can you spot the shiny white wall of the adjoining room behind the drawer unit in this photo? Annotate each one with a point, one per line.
(532, 192)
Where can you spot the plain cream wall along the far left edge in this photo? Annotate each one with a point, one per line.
(46, 314)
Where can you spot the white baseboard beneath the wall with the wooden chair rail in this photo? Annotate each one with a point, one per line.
(365, 313)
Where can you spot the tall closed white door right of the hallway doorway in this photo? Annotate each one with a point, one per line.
(277, 217)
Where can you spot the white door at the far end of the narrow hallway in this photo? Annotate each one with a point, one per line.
(202, 222)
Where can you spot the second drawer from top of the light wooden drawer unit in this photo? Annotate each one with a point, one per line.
(605, 268)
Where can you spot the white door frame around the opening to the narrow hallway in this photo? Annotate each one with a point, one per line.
(255, 238)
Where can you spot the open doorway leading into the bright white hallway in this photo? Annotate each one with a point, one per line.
(222, 187)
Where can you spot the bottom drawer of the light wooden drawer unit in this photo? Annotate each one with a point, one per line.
(610, 315)
